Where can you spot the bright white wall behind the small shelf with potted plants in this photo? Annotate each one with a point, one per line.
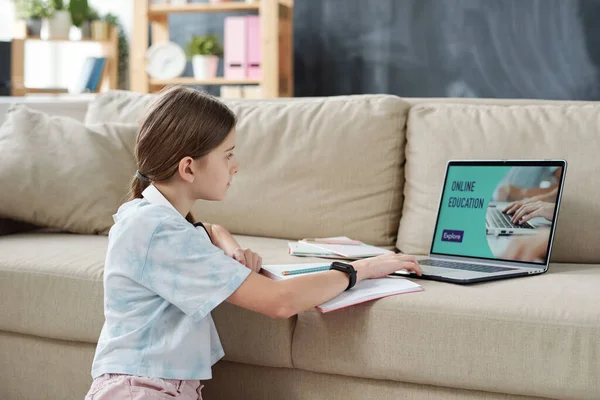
(57, 64)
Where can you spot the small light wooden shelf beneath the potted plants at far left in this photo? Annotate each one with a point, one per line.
(110, 50)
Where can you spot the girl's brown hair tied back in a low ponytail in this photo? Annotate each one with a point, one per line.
(181, 122)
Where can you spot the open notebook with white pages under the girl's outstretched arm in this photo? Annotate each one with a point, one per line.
(366, 290)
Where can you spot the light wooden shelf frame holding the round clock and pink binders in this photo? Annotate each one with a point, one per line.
(276, 27)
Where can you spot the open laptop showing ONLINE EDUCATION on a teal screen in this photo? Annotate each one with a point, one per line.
(474, 238)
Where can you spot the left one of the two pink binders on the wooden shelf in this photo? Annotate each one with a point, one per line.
(234, 56)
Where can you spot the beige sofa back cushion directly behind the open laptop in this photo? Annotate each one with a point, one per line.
(438, 132)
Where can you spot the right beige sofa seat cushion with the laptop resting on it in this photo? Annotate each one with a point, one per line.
(537, 336)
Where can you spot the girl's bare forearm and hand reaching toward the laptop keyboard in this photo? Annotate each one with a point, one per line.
(285, 298)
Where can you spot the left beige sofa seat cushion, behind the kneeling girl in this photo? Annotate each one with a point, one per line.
(51, 286)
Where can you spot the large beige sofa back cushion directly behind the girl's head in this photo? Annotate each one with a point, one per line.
(338, 160)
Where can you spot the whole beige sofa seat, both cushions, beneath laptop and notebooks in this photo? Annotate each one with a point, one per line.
(504, 336)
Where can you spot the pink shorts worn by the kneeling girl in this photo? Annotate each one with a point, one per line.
(130, 387)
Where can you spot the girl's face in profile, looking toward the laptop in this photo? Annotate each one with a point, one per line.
(215, 171)
